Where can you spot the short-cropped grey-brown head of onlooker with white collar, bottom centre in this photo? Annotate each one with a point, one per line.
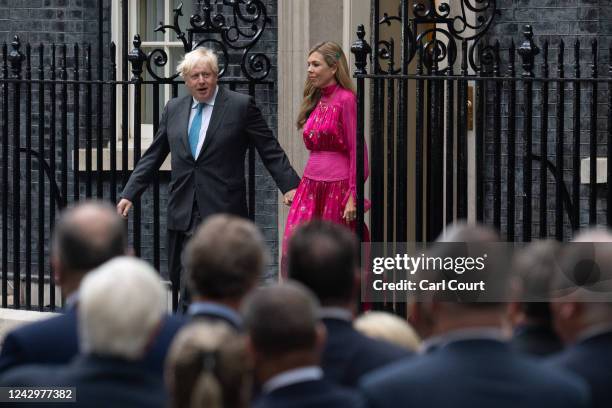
(281, 319)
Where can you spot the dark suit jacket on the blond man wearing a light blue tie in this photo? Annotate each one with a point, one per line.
(216, 179)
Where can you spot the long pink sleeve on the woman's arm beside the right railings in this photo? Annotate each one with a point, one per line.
(349, 127)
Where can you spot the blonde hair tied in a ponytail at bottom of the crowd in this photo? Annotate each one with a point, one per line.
(207, 366)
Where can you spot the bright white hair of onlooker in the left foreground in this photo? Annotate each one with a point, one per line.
(121, 305)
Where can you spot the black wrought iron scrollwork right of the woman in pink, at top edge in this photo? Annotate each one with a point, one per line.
(437, 31)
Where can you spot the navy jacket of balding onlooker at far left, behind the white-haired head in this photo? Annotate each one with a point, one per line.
(55, 341)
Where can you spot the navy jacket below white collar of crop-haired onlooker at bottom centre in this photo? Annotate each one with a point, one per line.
(310, 394)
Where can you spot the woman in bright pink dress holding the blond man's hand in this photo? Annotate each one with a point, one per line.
(328, 118)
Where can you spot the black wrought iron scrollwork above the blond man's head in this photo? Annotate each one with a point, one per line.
(239, 29)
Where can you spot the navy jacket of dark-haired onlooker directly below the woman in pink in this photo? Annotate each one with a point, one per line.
(349, 354)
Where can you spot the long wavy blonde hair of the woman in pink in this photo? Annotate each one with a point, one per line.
(334, 57)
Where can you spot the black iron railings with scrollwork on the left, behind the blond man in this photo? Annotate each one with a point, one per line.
(62, 141)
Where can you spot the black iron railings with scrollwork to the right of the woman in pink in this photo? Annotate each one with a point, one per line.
(516, 165)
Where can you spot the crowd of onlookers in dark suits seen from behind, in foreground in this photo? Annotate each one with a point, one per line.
(296, 343)
